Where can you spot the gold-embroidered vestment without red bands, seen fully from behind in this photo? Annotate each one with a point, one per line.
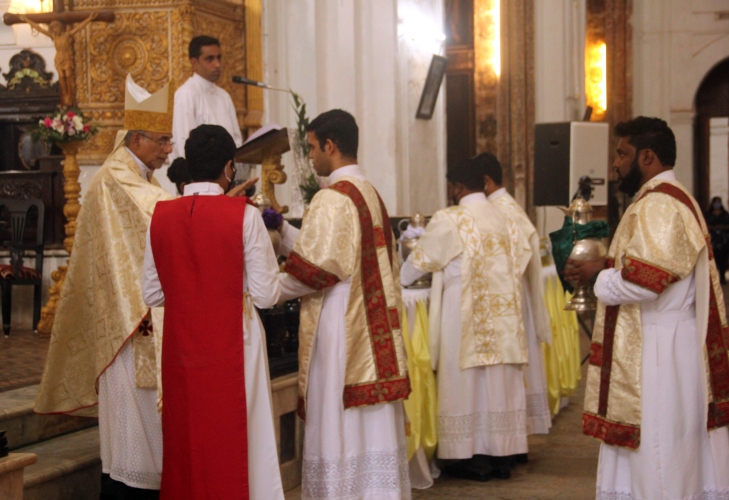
(492, 326)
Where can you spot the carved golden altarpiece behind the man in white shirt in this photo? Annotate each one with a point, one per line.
(149, 39)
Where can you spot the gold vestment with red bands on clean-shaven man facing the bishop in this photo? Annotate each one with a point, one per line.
(346, 234)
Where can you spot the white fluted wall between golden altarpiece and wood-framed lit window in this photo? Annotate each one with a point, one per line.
(350, 55)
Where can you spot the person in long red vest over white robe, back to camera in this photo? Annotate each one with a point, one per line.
(211, 174)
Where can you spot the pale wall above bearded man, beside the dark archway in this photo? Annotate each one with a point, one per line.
(676, 43)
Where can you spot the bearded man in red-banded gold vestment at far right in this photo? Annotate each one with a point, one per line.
(658, 381)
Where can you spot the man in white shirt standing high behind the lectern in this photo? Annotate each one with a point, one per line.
(199, 100)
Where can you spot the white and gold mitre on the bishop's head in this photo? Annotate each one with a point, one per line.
(148, 112)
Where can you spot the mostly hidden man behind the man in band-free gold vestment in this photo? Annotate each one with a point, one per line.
(534, 310)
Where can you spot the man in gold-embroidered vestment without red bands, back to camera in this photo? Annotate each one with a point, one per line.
(482, 348)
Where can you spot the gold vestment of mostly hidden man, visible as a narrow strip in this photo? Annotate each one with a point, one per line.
(531, 262)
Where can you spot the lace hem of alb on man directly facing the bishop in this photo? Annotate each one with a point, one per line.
(372, 472)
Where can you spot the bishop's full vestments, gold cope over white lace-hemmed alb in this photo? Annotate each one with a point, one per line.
(102, 333)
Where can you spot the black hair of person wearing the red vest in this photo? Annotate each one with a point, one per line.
(208, 149)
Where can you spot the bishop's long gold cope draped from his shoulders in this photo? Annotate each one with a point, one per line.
(101, 304)
